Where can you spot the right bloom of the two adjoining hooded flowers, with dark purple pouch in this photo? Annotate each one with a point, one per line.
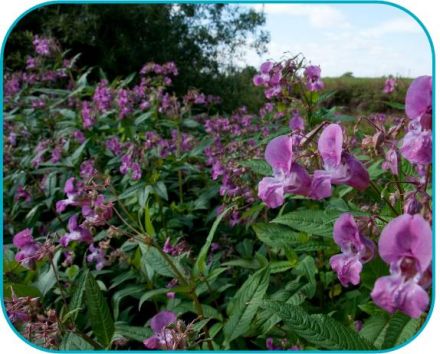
(340, 167)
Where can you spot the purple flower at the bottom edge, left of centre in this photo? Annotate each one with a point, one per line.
(163, 337)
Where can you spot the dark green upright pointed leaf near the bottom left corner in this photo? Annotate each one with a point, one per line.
(99, 313)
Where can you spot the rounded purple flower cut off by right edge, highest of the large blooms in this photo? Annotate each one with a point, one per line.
(418, 101)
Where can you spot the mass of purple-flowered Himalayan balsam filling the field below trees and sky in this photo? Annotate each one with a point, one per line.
(137, 219)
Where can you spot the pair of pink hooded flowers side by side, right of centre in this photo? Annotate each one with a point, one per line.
(289, 177)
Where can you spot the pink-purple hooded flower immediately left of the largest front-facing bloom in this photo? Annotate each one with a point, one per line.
(356, 250)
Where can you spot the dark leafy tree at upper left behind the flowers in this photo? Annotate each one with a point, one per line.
(204, 40)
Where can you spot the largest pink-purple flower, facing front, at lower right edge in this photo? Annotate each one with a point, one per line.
(406, 245)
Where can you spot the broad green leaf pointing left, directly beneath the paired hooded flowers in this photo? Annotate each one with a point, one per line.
(314, 222)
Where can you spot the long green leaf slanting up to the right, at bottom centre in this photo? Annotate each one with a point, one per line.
(245, 304)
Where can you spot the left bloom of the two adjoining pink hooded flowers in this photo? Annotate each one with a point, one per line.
(288, 176)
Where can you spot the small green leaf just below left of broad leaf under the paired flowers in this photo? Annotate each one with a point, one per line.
(275, 235)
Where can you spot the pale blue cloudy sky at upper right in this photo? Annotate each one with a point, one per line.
(369, 40)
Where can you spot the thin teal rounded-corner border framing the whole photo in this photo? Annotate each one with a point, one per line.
(133, 2)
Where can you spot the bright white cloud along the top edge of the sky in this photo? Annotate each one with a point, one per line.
(319, 16)
